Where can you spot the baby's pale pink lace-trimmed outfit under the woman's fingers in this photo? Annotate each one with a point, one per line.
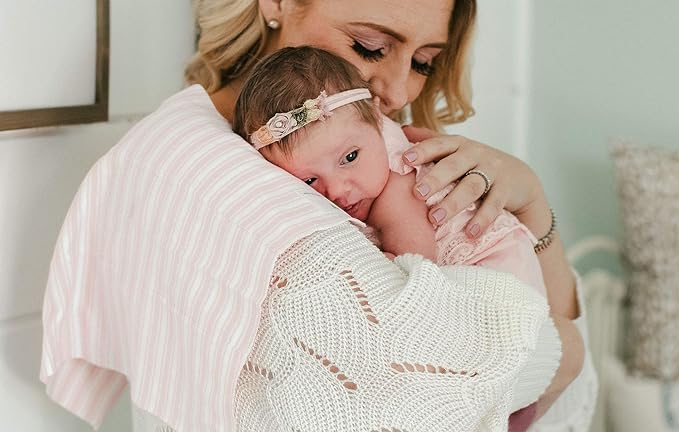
(507, 245)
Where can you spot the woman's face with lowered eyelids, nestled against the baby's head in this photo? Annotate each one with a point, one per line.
(392, 42)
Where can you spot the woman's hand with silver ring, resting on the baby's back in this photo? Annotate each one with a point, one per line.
(514, 186)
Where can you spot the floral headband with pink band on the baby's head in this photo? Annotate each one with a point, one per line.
(283, 124)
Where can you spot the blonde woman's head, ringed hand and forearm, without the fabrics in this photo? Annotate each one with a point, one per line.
(225, 57)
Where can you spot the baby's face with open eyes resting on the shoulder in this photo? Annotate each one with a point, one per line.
(343, 158)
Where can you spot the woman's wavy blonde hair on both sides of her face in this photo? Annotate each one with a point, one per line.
(232, 35)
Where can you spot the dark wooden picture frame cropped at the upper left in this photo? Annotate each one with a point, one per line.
(96, 112)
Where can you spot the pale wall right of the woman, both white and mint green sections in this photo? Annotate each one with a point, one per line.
(555, 82)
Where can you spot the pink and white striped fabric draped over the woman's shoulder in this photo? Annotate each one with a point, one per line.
(161, 265)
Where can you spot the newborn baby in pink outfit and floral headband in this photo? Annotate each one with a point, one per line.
(310, 113)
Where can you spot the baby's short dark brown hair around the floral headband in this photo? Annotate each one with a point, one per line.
(284, 80)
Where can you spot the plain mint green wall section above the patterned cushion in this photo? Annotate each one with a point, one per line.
(599, 70)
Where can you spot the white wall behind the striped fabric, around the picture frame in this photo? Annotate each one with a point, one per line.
(40, 170)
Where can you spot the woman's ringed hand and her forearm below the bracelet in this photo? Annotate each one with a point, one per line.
(515, 187)
